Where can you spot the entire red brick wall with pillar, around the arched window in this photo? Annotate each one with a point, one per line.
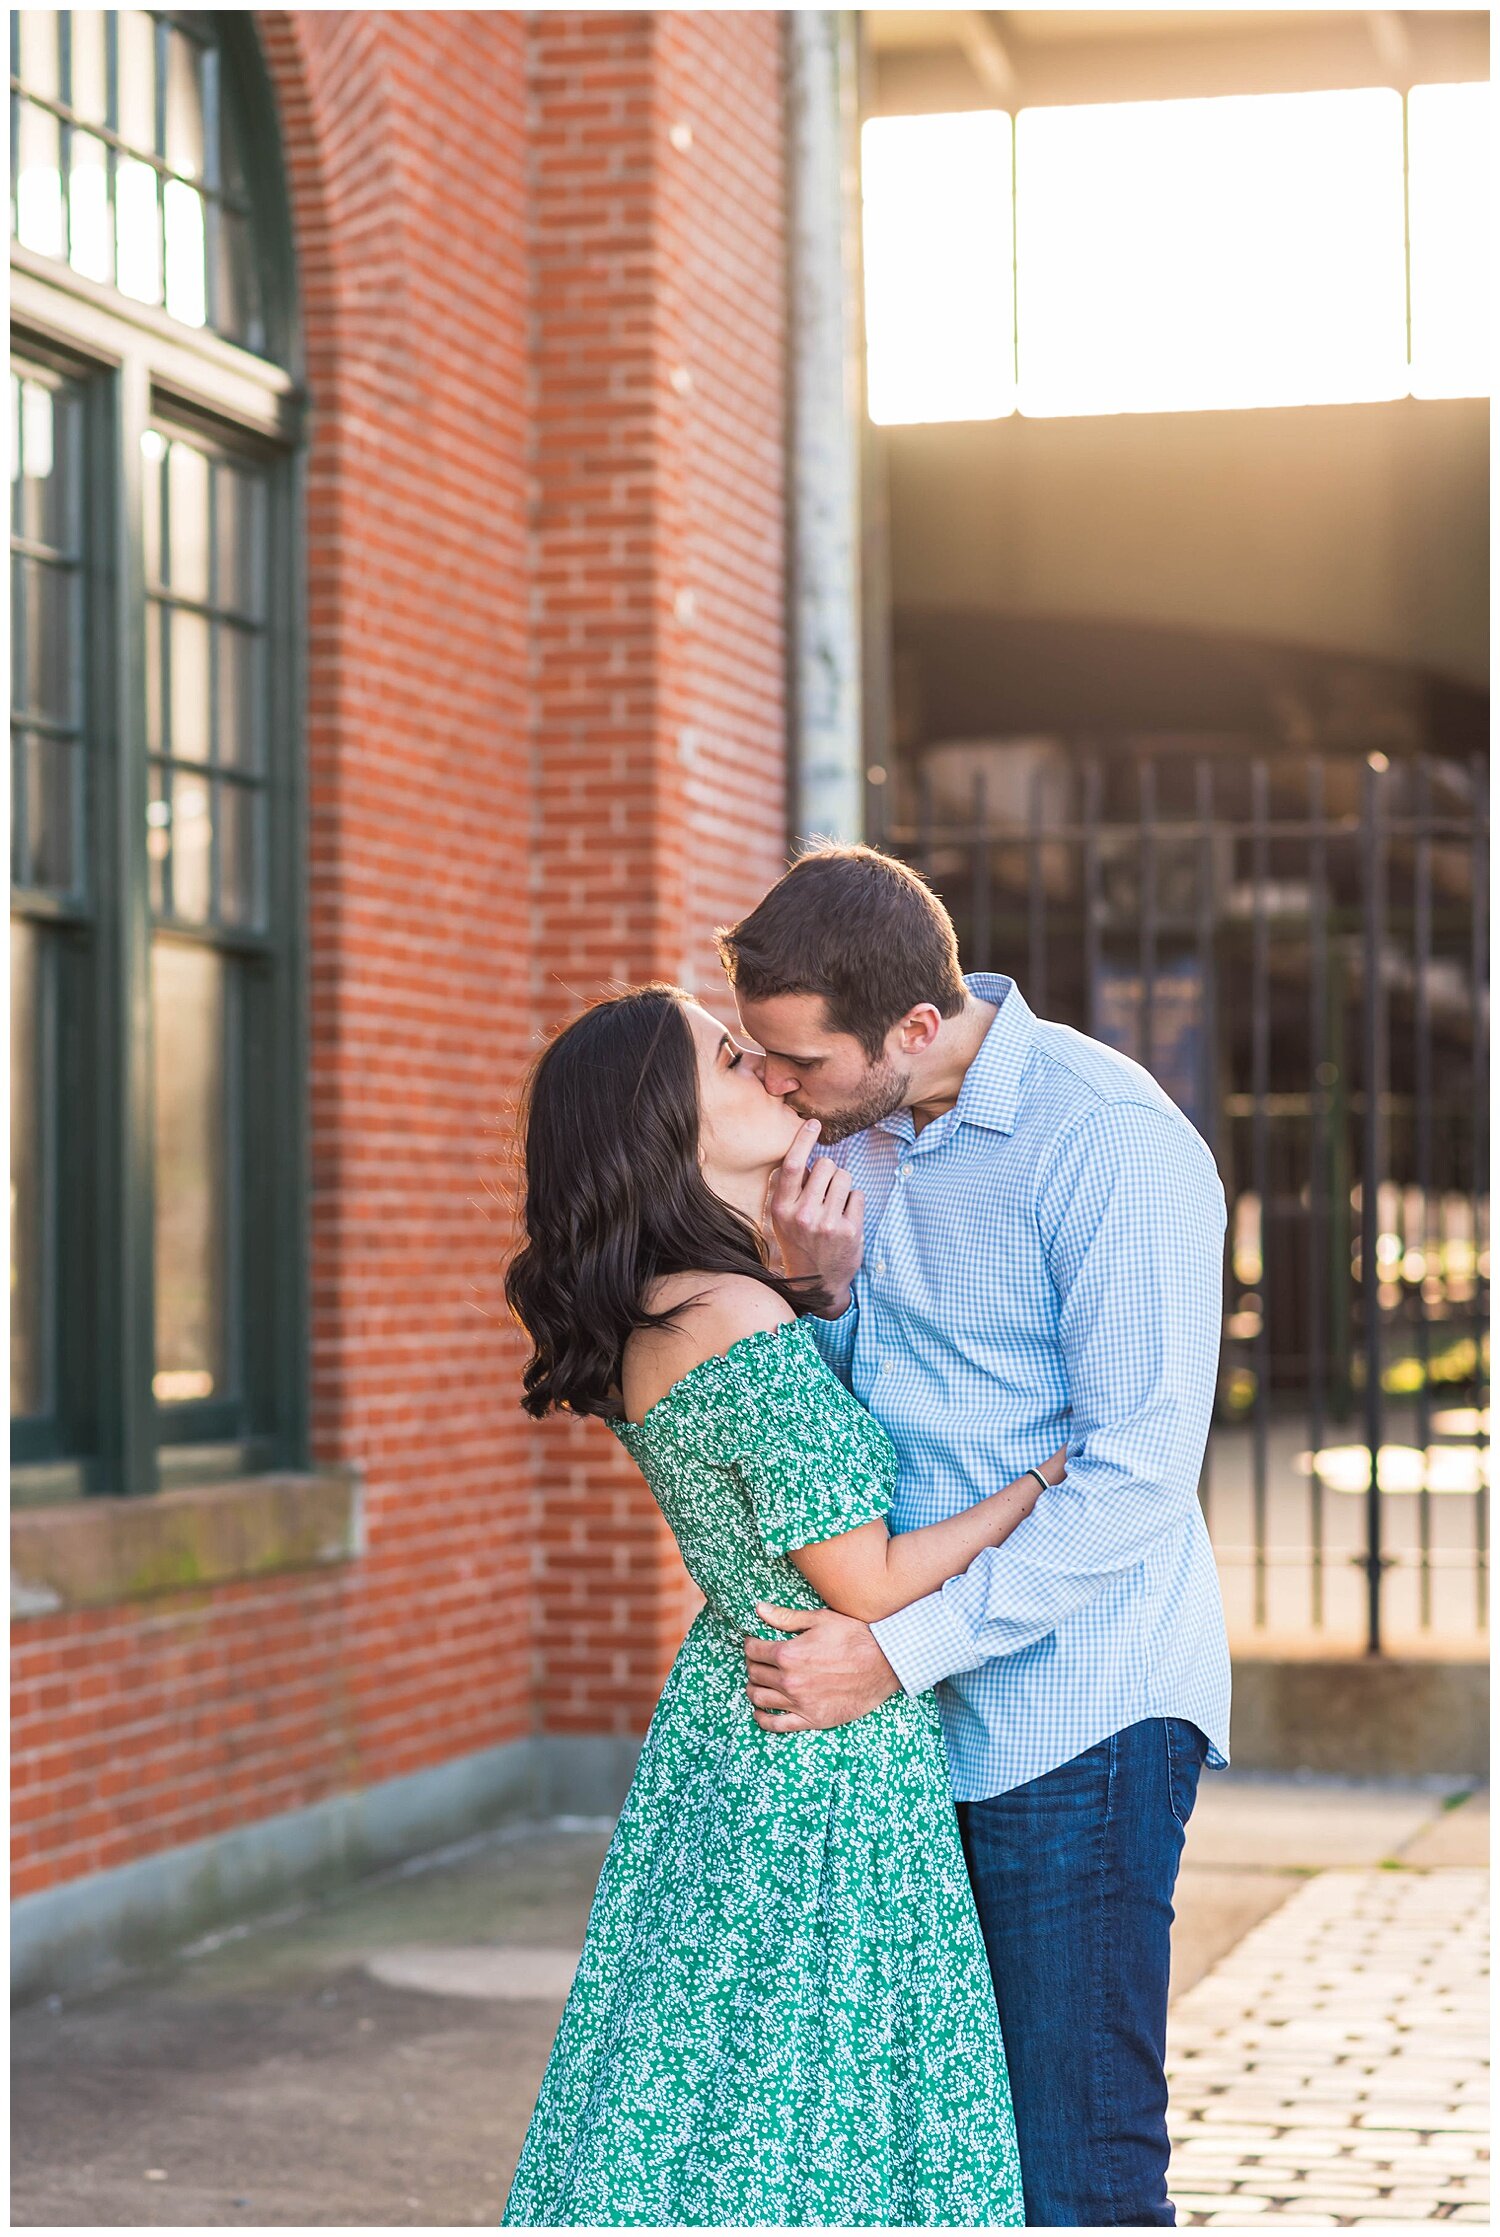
(533, 768)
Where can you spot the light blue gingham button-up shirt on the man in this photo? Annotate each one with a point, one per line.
(1043, 1267)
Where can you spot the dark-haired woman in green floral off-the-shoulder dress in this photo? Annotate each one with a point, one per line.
(784, 2010)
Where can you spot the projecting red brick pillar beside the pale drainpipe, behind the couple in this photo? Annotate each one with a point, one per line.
(658, 641)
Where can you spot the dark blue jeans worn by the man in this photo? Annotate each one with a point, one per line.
(1074, 1880)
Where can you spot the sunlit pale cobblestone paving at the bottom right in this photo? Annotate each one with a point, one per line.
(1333, 2068)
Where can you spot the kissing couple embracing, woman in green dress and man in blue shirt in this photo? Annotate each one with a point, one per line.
(909, 1316)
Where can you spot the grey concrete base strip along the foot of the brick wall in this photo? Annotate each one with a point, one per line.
(95, 1929)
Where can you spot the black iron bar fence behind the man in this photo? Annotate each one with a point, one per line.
(1298, 950)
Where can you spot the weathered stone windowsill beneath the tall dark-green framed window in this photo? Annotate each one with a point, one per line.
(95, 1554)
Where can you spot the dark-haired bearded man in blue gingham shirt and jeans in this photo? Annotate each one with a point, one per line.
(1025, 1240)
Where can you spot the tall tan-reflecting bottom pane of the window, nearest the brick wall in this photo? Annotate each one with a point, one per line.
(191, 1171)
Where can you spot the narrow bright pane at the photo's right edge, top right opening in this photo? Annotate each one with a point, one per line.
(1447, 138)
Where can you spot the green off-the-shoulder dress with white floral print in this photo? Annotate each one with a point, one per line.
(784, 2010)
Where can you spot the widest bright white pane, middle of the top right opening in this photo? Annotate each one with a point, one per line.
(1186, 256)
